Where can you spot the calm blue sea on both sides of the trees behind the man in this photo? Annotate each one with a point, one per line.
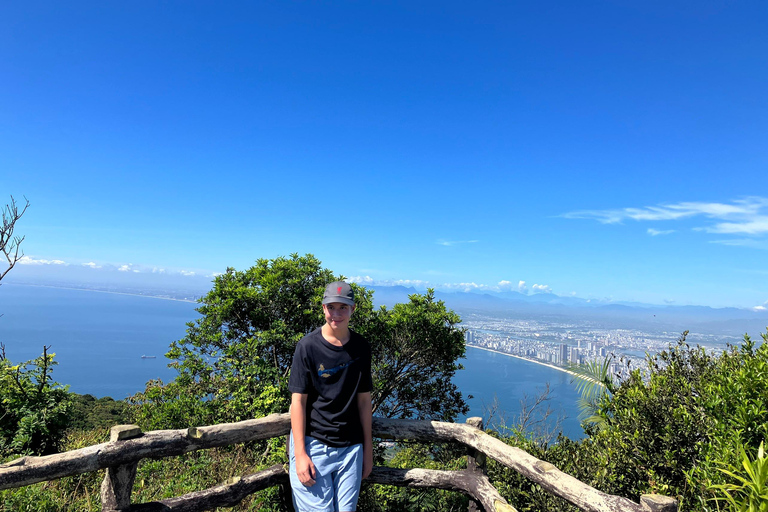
(99, 339)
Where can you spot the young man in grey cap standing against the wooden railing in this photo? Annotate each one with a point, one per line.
(331, 448)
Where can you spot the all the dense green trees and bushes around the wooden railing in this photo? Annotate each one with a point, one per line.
(689, 424)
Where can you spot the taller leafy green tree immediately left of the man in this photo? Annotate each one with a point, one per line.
(234, 361)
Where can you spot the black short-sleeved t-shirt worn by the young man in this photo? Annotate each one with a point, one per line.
(332, 377)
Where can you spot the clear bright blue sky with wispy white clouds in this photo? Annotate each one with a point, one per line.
(606, 149)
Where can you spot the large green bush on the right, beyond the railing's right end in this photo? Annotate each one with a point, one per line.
(672, 428)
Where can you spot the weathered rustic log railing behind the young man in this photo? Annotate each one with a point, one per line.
(128, 445)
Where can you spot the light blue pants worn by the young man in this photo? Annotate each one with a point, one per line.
(338, 472)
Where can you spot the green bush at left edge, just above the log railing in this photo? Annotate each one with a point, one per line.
(33, 408)
